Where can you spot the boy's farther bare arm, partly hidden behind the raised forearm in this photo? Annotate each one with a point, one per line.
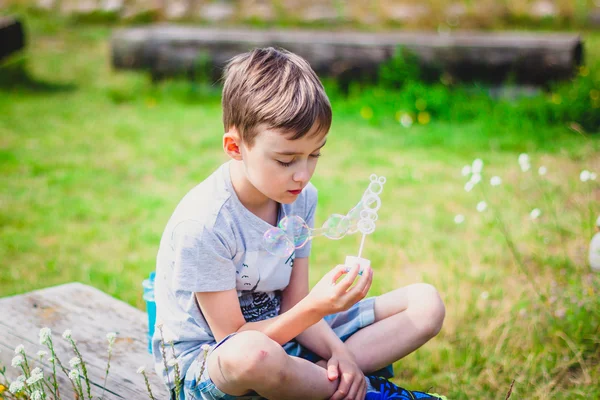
(319, 337)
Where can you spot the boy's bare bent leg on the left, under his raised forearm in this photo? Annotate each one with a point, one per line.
(252, 361)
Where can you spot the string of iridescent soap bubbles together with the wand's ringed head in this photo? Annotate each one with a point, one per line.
(293, 233)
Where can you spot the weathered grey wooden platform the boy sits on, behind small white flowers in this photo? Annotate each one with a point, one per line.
(90, 314)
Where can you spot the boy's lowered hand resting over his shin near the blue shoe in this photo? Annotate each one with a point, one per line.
(352, 381)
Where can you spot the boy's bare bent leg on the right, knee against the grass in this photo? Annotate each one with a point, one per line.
(405, 319)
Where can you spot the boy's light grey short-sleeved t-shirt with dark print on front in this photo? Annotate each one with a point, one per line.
(213, 243)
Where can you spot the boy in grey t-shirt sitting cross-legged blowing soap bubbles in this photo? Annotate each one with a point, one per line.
(269, 336)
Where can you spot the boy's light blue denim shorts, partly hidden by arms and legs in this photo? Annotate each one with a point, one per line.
(344, 324)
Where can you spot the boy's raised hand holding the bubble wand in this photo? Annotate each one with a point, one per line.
(330, 297)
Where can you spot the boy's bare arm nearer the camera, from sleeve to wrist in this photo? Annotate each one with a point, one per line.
(224, 316)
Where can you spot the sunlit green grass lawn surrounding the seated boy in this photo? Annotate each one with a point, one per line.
(94, 161)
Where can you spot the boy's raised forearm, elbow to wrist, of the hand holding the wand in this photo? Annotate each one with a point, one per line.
(289, 324)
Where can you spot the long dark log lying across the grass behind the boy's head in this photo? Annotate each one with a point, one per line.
(166, 50)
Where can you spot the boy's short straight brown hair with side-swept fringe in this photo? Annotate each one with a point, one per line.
(276, 88)
